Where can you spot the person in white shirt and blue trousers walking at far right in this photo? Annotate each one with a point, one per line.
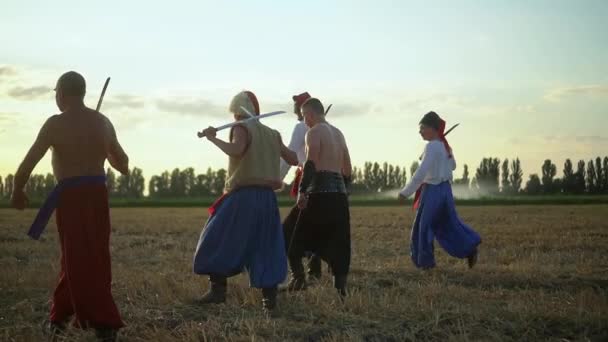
(436, 216)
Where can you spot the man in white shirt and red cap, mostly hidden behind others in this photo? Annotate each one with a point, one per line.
(298, 145)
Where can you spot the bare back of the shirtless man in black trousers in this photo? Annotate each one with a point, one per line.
(326, 147)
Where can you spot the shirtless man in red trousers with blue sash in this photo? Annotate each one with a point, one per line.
(81, 140)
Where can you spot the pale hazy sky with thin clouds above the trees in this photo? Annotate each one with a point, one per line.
(525, 79)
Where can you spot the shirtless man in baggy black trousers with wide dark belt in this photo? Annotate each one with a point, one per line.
(323, 226)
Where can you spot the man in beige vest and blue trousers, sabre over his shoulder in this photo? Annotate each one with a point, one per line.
(244, 229)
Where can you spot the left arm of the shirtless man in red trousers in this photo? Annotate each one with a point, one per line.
(33, 156)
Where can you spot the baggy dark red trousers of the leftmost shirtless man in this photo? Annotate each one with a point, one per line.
(84, 289)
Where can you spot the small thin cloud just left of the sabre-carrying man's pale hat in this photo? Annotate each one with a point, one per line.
(191, 107)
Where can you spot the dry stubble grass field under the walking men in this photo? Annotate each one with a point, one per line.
(542, 275)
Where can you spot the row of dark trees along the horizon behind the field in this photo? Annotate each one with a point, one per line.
(492, 177)
